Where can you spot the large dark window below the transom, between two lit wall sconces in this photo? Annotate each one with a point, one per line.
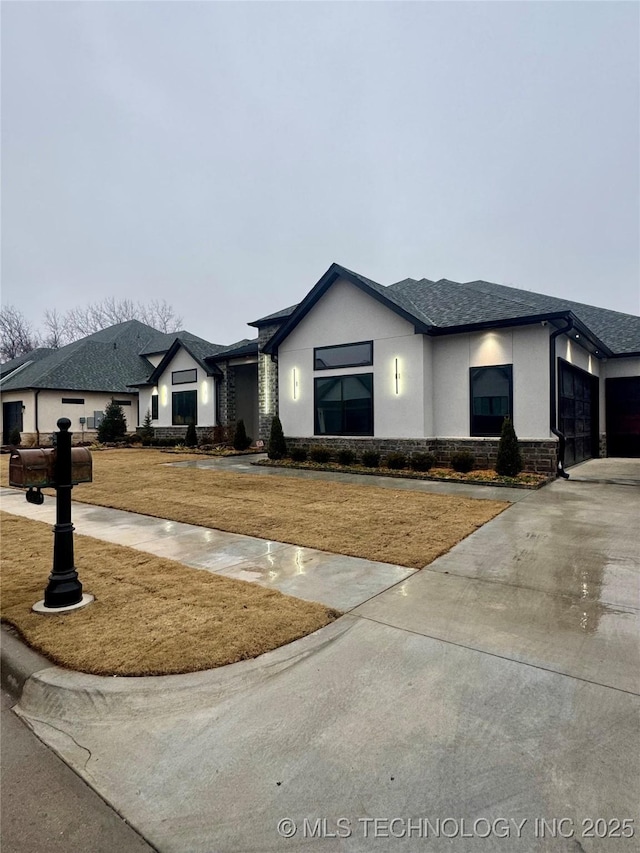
(344, 405)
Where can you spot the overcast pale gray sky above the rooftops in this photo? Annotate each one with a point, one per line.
(222, 155)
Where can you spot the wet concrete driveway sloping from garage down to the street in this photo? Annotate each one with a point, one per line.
(490, 692)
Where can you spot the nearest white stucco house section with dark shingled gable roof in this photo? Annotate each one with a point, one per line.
(437, 365)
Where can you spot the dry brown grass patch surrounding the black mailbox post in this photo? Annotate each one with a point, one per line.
(151, 616)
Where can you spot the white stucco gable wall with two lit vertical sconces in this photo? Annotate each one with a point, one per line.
(344, 314)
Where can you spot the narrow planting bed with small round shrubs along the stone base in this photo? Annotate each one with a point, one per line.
(484, 477)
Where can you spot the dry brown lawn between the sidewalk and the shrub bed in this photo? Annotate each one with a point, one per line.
(403, 527)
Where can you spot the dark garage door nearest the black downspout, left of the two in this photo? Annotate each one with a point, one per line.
(578, 413)
